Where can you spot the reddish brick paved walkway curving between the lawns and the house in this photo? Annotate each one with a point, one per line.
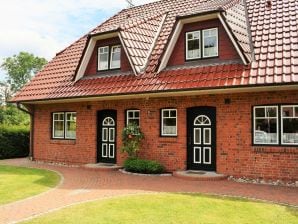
(81, 184)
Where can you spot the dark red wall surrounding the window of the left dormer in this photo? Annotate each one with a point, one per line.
(92, 67)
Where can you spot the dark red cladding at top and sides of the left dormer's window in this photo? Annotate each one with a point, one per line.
(92, 65)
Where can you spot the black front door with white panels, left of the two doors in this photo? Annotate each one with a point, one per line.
(106, 138)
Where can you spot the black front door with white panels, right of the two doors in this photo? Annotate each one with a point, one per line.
(201, 138)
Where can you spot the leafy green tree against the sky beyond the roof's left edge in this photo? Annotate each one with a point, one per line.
(20, 69)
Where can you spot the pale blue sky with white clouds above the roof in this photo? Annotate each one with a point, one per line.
(45, 27)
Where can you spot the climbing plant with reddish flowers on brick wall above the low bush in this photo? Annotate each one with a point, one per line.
(131, 139)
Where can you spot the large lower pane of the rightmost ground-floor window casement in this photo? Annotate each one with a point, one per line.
(290, 131)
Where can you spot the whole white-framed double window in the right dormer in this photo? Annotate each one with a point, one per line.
(207, 38)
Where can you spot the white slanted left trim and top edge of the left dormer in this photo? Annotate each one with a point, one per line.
(88, 53)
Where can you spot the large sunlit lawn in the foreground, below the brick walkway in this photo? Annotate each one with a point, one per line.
(170, 209)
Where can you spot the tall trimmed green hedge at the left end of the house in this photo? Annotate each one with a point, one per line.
(14, 141)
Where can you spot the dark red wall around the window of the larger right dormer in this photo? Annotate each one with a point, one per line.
(225, 46)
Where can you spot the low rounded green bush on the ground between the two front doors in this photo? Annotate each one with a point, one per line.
(143, 166)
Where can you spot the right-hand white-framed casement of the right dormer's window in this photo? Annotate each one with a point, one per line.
(210, 43)
